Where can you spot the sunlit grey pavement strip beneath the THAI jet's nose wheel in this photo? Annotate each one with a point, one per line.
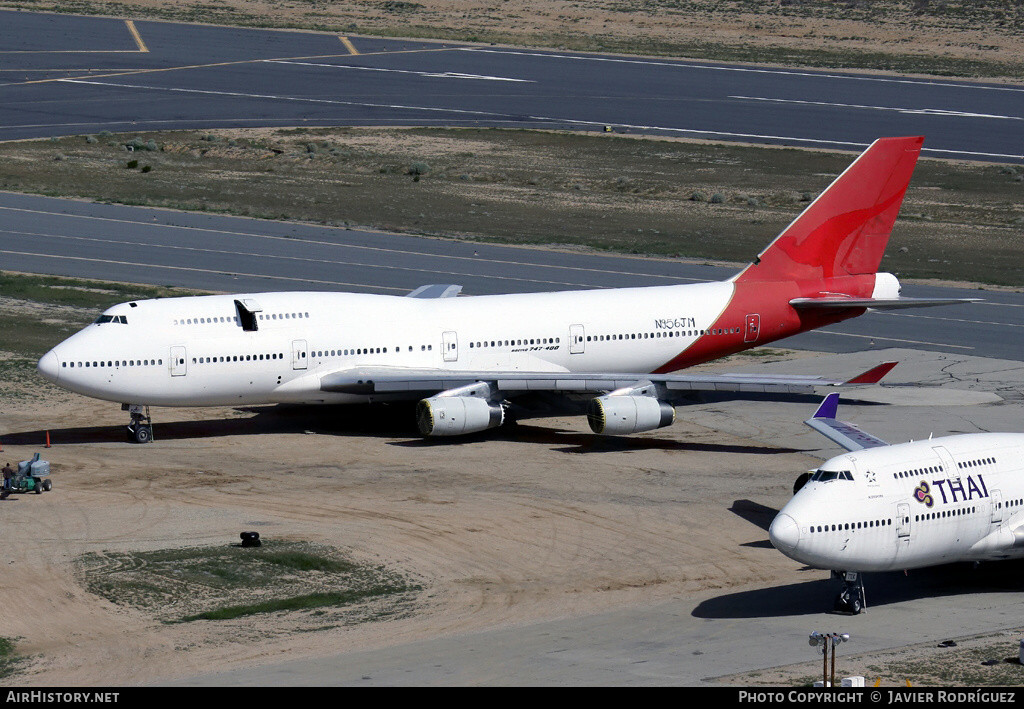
(671, 645)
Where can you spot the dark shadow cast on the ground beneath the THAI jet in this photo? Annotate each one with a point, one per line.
(814, 598)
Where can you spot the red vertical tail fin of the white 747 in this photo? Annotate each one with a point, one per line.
(845, 231)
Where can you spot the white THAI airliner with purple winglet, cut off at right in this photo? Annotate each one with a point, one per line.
(882, 508)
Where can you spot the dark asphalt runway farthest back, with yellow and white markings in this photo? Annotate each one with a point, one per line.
(66, 75)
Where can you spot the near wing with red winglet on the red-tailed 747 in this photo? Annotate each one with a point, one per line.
(397, 381)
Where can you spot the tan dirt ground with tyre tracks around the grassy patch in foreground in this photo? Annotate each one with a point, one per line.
(511, 527)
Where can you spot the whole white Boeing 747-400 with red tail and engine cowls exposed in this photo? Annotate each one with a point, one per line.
(466, 359)
